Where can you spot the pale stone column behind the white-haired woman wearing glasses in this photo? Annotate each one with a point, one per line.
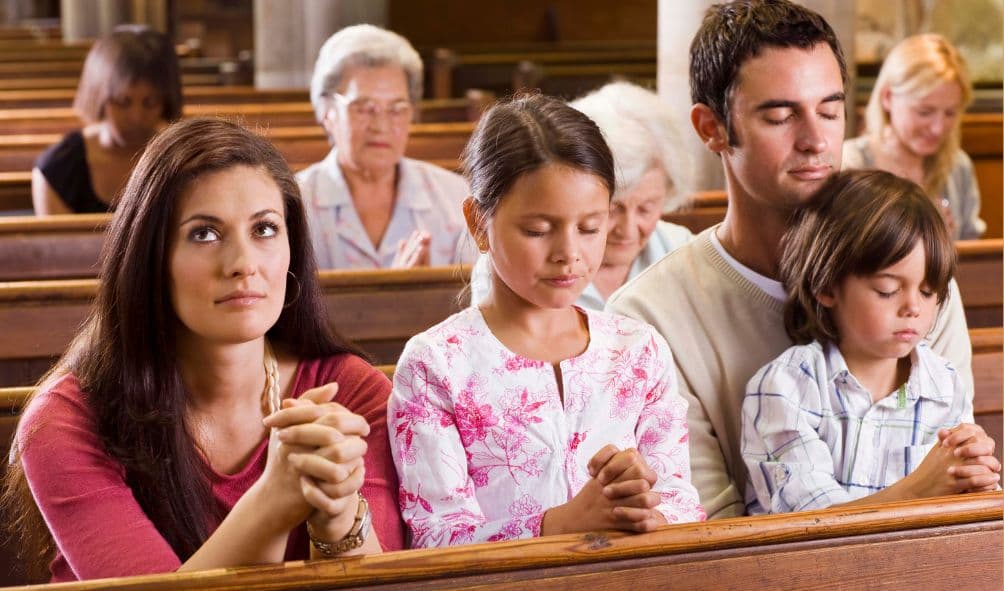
(289, 35)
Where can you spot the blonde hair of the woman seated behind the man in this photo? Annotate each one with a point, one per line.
(916, 67)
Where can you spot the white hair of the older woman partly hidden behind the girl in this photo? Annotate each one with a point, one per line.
(639, 129)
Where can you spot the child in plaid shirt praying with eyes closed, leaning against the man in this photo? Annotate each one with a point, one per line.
(861, 411)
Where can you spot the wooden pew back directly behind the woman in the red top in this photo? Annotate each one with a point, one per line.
(380, 311)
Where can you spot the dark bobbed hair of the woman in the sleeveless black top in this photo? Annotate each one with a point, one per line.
(130, 55)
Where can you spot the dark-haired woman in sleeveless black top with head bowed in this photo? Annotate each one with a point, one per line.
(130, 90)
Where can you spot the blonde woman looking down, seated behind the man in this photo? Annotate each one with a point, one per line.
(913, 129)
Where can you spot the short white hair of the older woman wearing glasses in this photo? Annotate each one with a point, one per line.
(367, 47)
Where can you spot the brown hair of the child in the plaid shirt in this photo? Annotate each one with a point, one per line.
(859, 223)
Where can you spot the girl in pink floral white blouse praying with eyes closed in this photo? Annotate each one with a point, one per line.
(528, 416)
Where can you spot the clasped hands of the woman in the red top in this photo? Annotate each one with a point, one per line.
(316, 457)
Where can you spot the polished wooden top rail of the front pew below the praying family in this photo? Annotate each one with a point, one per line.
(567, 550)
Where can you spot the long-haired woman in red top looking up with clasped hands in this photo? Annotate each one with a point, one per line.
(206, 413)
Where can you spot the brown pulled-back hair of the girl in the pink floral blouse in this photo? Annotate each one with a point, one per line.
(519, 137)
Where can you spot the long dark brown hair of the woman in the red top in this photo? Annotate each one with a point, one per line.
(125, 357)
